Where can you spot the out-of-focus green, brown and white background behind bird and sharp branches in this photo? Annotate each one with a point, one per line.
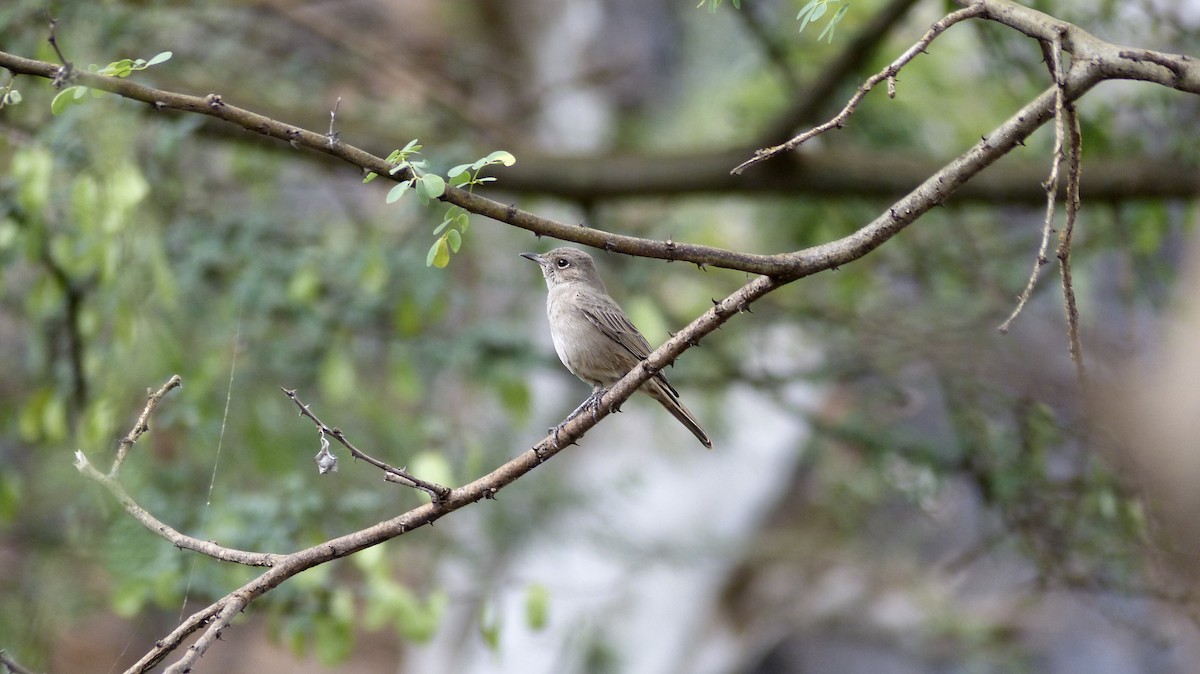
(896, 486)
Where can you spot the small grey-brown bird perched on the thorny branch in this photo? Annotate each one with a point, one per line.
(595, 339)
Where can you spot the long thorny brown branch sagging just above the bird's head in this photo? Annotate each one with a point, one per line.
(1102, 64)
